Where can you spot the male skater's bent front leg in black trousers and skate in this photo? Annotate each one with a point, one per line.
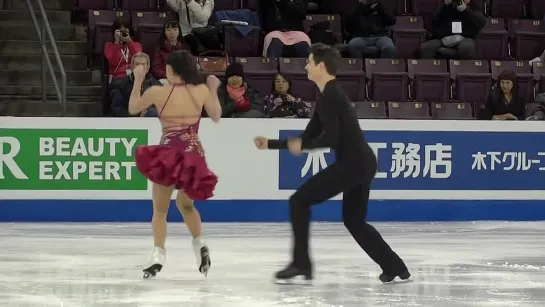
(319, 188)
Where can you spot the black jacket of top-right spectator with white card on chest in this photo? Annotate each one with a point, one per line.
(472, 20)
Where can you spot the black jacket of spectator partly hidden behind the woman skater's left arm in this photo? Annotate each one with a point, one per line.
(121, 93)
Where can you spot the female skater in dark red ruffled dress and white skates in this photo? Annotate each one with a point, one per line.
(178, 162)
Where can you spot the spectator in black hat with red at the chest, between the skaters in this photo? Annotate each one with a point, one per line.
(236, 97)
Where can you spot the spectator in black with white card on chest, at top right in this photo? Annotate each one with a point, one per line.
(455, 29)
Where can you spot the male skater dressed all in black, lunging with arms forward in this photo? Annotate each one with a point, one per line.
(334, 124)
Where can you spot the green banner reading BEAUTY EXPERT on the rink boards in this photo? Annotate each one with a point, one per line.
(70, 159)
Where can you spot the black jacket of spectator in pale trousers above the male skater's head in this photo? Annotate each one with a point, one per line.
(283, 15)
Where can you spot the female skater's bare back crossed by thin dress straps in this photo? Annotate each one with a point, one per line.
(180, 106)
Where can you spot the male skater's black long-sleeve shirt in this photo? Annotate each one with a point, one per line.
(334, 124)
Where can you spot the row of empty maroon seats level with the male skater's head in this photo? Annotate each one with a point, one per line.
(400, 80)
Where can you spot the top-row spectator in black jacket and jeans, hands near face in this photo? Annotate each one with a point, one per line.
(368, 26)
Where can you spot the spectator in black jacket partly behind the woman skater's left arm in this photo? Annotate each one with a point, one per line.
(121, 92)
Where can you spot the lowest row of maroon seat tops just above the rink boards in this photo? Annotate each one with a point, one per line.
(422, 110)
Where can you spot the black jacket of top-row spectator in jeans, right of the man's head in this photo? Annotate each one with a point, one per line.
(370, 20)
